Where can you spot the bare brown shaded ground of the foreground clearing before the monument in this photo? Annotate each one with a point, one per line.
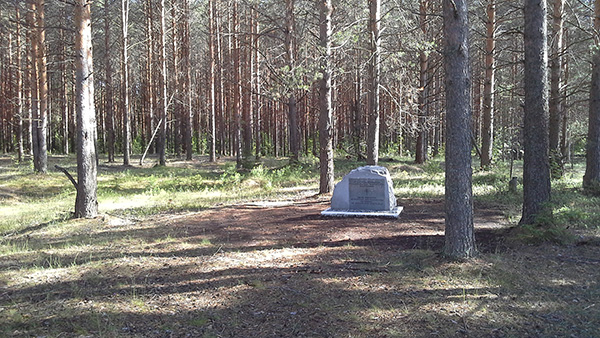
(281, 270)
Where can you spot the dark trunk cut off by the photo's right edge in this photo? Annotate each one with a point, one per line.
(591, 179)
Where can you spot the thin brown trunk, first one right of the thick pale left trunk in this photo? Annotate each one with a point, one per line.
(108, 95)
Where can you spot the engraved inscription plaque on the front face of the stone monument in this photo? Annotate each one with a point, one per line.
(367, 194)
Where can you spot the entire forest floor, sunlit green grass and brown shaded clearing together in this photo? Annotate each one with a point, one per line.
(201, 249)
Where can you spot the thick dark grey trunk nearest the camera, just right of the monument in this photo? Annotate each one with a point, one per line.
(459, 234)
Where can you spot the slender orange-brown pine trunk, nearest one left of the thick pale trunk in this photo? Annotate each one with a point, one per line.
(42, 77)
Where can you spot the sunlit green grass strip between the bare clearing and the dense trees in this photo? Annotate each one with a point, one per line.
(28, 199)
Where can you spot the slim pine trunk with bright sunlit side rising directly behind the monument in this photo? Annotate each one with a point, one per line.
(374, 70)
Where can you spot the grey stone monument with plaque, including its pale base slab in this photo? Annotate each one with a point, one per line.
(365, 191)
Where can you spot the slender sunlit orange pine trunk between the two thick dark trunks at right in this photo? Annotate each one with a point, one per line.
(487, 126)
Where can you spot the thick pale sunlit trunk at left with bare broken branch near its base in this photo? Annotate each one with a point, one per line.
(86, 204)
